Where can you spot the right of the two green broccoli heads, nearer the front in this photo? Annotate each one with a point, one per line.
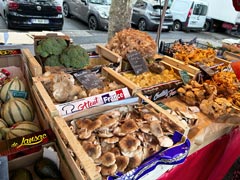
(74, 56)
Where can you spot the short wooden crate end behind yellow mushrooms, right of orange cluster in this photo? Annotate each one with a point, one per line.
(180, 65)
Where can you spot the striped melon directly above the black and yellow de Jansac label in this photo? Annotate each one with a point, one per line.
(21, 129)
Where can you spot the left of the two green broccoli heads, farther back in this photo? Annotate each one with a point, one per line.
(51, 46)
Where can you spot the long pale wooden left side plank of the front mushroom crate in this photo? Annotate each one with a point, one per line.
(86, 162)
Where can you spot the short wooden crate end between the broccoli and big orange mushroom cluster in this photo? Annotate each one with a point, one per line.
(108, 54)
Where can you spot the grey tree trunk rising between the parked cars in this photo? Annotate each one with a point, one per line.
(119, 16)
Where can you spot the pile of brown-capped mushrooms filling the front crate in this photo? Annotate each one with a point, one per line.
(120, 139)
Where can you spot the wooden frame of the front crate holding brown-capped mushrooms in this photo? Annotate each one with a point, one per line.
(70, 139)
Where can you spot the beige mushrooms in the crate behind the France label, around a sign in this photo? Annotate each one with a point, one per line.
(62, 87)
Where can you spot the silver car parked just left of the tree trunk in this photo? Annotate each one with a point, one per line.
(93, 12)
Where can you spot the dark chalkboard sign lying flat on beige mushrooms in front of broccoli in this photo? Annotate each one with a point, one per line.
(88, 79)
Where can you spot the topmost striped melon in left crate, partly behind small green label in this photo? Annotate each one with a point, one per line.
(14, 84)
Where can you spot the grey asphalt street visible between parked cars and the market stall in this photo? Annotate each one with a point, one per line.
(80, 34)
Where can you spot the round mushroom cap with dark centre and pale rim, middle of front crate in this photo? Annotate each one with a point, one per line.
(129, 143)
